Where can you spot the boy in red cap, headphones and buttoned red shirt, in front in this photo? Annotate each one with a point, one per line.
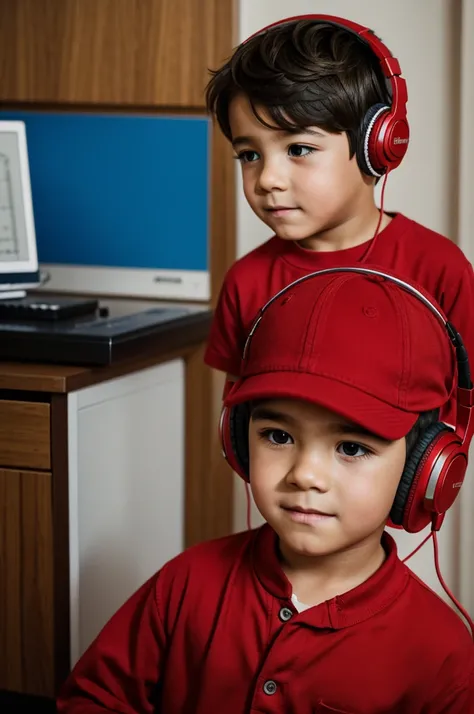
(334, 421)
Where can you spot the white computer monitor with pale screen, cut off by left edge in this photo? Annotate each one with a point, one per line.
(19, 268)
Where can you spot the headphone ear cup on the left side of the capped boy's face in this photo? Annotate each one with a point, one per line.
(235, 439)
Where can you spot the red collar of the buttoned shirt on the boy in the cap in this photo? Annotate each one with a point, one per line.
(356, 605)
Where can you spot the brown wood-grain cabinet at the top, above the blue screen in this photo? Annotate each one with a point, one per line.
(125, 52)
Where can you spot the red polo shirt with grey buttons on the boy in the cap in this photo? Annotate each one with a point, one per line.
(215, 632)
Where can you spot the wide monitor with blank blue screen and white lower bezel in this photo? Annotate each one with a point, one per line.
(121, 202)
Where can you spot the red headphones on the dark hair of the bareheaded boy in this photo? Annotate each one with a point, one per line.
(384, 133)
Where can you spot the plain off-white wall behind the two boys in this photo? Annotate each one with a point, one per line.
(422, 35)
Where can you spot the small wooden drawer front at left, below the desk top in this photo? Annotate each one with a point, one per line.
(25, 435)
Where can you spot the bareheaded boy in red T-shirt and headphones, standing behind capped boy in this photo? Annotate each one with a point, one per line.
(303, 103)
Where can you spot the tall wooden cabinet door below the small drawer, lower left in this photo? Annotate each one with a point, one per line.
(26, 582)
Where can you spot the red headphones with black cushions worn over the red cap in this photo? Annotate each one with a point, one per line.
(436, 467)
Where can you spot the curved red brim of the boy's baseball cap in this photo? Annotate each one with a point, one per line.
(354, 405)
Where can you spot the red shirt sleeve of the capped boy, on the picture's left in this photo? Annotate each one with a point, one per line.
(121, 669)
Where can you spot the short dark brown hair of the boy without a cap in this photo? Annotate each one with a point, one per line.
(301, 73)
